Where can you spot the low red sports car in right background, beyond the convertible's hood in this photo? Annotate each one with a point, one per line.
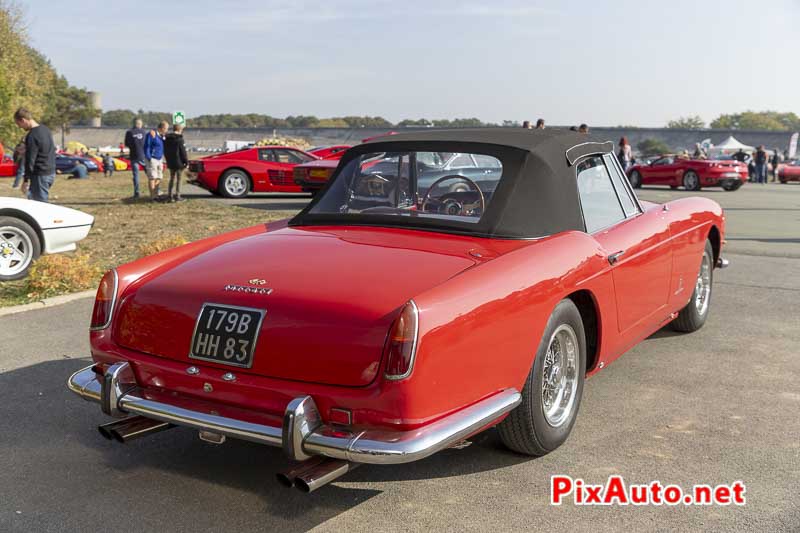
(691, 174)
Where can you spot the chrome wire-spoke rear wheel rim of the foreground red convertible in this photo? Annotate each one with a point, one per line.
(560, 376)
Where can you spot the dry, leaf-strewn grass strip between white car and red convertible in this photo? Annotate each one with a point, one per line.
(125, 230)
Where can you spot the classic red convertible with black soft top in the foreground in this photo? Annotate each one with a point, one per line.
(481, 302)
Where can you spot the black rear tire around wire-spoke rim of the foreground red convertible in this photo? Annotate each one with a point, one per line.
(526, 429)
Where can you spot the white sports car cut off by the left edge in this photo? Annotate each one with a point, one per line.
(29, 229)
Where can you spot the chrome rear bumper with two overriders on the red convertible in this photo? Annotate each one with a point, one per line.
(302, 433)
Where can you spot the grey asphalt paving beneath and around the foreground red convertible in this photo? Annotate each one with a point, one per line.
(713, 407)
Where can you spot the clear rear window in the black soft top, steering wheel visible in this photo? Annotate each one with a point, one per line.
(436, 185)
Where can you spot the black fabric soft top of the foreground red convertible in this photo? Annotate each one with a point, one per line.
(537, 195)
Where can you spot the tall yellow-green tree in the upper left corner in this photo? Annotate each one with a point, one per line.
(27, 79)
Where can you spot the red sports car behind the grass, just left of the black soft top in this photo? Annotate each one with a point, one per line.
(257, 169)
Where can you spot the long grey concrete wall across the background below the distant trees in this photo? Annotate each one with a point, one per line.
(215, 137)
